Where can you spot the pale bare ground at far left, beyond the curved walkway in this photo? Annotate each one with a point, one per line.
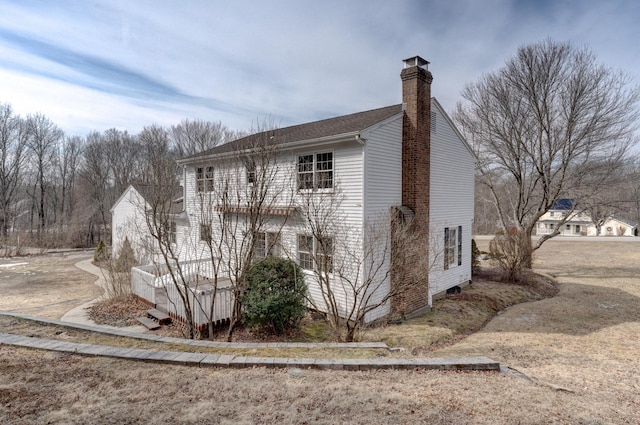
(45, 285)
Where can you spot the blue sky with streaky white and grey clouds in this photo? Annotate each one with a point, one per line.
(94, 65)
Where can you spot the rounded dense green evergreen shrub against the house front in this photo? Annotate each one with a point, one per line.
(275, 295)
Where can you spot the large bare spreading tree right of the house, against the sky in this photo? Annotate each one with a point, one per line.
(543, 124)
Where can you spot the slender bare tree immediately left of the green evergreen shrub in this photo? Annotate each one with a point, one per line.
(254, 191)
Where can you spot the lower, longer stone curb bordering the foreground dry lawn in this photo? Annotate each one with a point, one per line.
(229, 361)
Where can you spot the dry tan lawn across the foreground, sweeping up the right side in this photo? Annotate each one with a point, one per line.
(576, 354)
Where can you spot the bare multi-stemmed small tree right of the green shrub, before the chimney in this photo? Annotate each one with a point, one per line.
(352, 265)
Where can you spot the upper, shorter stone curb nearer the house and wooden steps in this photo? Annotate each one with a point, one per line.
(198, 343)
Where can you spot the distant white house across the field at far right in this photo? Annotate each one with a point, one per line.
(569, 221)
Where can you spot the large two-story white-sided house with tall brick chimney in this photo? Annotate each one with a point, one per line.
(406, 159)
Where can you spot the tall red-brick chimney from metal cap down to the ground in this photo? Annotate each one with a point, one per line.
(413, 296)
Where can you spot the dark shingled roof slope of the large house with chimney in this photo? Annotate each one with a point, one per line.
(325, 128)
